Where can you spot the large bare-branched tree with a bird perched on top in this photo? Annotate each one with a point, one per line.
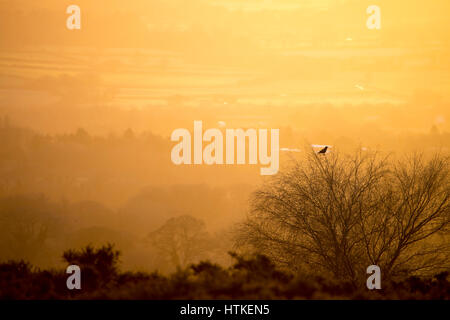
(338, 214)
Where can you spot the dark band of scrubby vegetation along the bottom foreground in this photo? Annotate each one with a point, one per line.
(248, 278)
